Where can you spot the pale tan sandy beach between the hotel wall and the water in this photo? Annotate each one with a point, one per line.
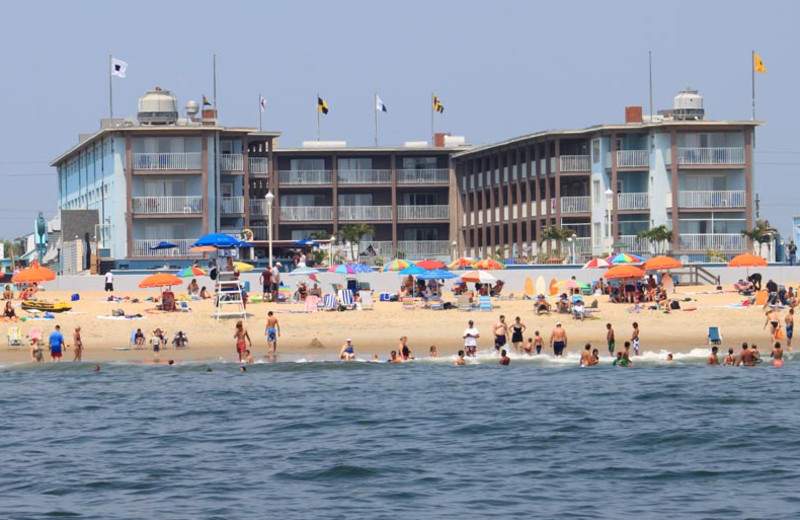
(320, 335)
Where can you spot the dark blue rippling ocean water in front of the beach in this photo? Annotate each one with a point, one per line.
(541, 438)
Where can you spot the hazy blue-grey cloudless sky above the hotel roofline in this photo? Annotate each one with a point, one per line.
(501, 69)
